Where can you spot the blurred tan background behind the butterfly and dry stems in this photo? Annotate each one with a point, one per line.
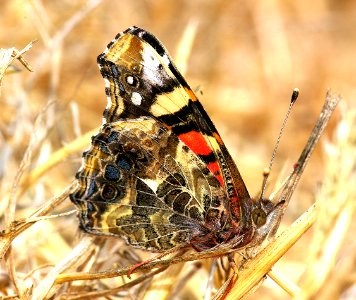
(246, 58)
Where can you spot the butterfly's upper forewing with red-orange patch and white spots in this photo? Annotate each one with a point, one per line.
(142, 80)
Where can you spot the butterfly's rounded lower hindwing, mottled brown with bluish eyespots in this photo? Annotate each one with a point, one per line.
(133, 185)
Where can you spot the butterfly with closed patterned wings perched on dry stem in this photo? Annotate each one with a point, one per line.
(158, 173)
